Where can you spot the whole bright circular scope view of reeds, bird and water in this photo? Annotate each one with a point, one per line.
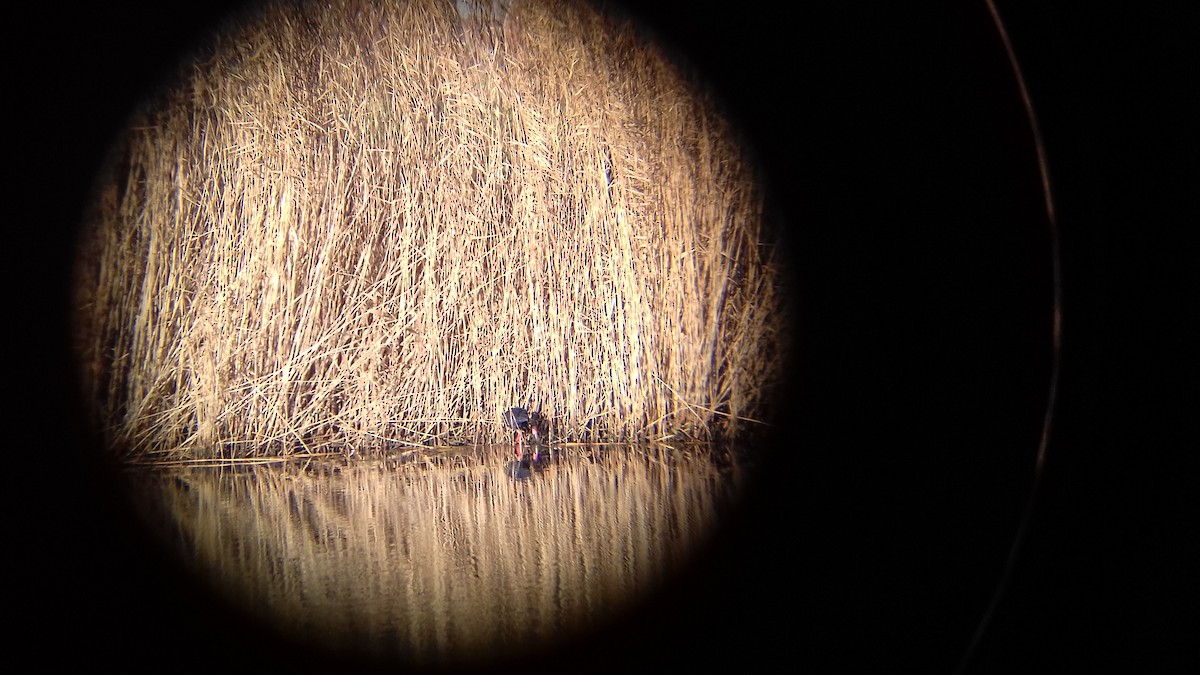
(422, 328)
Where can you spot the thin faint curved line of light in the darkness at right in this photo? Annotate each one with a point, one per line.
(1057, 359)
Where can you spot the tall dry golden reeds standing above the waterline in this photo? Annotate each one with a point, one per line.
(361, 224)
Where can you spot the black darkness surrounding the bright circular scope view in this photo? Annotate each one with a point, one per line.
(901, 158)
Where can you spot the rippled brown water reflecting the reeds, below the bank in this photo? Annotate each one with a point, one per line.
(442, 560)
